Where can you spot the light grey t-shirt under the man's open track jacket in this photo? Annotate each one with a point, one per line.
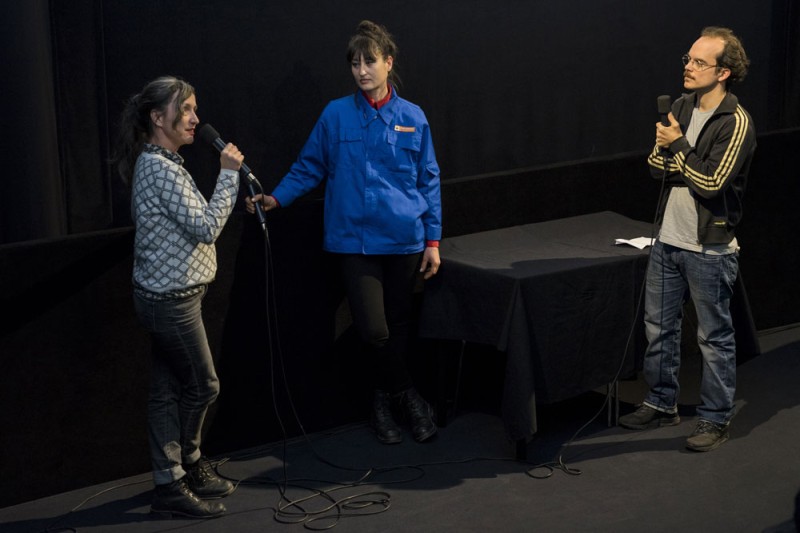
(679, 227)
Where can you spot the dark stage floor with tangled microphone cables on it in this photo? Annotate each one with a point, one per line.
(467, 480)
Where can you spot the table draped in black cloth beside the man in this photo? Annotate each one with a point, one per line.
(558, 297)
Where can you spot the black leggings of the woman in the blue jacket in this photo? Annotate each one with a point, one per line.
(380, 290)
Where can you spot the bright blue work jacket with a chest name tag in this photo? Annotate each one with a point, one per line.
(382, 192)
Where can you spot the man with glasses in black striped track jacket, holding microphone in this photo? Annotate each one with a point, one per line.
(704, 157)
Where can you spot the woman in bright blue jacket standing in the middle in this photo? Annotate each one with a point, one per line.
(383, 217)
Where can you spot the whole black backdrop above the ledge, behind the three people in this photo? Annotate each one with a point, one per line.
(505, 85)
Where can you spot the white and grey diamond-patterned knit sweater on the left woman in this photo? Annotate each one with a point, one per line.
(175, 226)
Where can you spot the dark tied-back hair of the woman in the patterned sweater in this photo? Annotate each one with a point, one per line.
(136, 127)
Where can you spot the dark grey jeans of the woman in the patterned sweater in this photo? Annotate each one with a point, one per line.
(183, 382)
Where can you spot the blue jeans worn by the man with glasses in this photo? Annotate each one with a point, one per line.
(673, 275)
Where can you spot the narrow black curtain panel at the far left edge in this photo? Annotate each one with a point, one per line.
(31, 192)
